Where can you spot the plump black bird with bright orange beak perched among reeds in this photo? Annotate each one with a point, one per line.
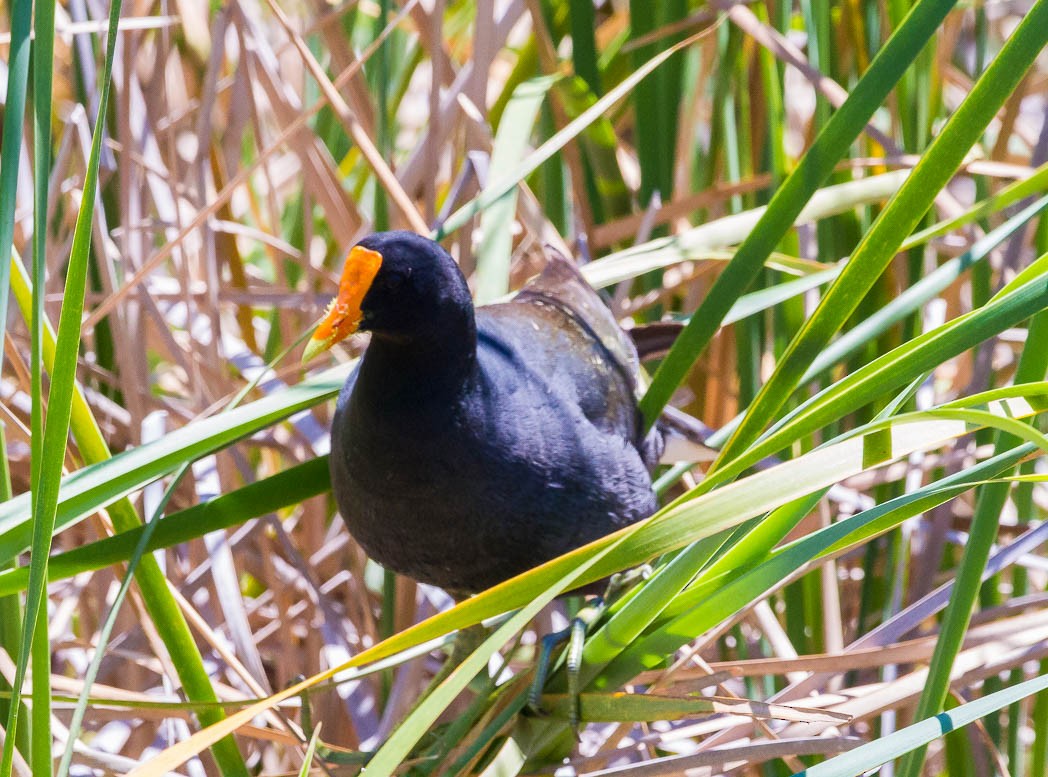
(474, 445)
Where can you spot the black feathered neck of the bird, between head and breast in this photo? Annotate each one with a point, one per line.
(427, 366)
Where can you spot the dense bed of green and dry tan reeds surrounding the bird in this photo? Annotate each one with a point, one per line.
(843, 201)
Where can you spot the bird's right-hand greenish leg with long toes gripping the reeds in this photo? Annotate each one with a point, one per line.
(575, 636)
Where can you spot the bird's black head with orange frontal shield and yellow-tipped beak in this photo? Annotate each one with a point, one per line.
(397, 285)
